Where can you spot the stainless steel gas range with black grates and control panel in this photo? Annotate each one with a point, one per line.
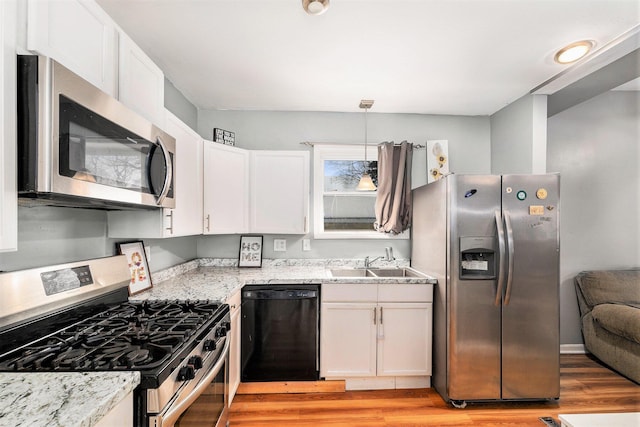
(77, 317)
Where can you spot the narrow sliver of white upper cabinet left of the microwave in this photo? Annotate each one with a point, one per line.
(8, 192)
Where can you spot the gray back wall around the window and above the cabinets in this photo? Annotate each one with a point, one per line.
(469, 152)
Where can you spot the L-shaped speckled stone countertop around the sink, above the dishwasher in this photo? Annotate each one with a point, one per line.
(218, 279)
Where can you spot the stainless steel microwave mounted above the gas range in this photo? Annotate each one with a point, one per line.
(80, 147)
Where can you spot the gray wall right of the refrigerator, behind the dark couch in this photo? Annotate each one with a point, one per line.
(595, 147)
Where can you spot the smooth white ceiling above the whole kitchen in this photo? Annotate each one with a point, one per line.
(462, 57)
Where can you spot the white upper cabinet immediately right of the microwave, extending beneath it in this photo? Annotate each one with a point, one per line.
(186, 218)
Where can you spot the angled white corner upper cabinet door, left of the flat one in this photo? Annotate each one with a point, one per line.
(226, 189)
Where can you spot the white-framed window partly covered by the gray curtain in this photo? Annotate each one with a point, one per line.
(341, 211)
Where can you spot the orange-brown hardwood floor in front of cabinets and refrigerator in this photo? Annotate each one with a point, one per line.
(586, 387)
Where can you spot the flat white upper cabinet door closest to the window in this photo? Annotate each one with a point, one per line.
(279, 192)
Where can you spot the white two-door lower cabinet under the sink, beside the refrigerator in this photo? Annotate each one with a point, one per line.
(377, 335)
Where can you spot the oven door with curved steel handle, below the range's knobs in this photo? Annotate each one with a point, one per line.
(206, 404)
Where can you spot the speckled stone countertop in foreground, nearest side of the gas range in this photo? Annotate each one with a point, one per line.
(69, 399)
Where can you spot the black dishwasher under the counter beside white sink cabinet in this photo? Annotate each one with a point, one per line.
(280, 332)
